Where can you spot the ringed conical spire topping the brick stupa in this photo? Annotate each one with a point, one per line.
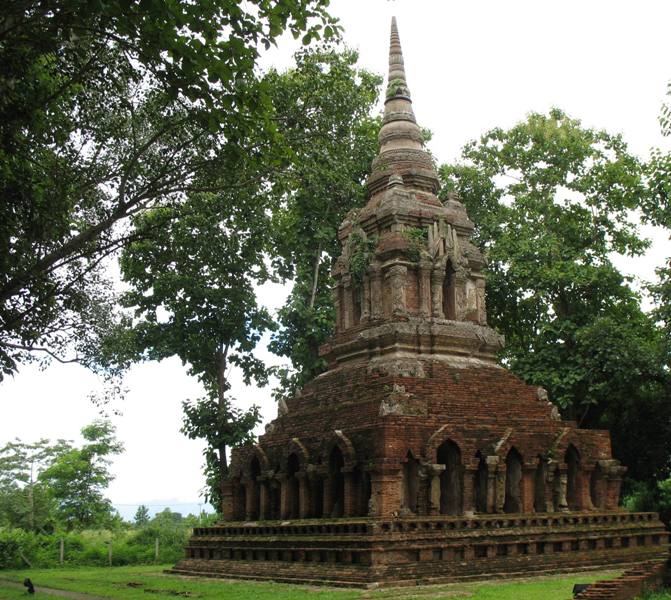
(401, 144)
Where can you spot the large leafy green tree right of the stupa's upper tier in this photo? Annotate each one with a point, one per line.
(552, 202)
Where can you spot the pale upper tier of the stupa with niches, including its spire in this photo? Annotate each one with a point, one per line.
(409, 282)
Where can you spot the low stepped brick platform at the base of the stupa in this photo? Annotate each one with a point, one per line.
(365, 552)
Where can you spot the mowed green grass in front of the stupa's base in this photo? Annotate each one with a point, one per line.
(148, 582)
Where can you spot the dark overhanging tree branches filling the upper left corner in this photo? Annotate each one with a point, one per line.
(108, 109)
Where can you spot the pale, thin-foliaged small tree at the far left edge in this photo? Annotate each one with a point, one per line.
(24, 500)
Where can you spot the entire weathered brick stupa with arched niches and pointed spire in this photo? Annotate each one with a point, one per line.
(416, 456)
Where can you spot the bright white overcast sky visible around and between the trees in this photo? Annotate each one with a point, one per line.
(470, 66)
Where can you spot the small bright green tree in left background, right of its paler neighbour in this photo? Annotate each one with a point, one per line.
(78, 478)
